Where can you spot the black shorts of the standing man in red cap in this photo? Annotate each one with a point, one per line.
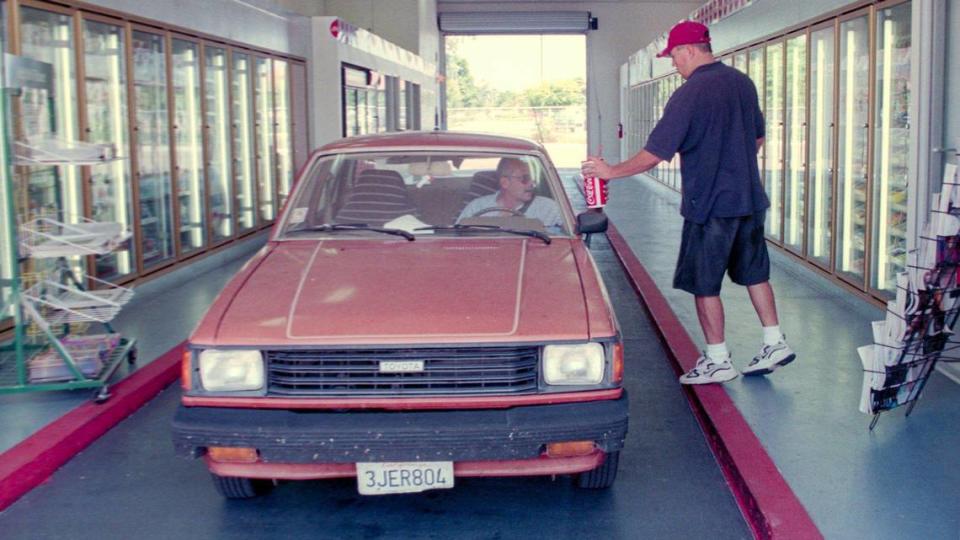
(734, 245)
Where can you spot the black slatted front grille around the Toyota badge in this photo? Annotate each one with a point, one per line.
(353, 372)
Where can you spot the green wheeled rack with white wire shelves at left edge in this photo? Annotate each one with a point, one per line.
(57, 357)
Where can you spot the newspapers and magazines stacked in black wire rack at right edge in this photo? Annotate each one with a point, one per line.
(916, 332)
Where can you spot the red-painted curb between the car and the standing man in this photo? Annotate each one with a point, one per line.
(768, 504)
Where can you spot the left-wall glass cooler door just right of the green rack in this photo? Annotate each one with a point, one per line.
(153, 148)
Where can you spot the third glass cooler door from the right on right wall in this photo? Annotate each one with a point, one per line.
(822, 105)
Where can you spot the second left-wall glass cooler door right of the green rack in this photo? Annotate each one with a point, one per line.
(188, 144)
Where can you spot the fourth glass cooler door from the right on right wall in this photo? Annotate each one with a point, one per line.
(795, 148)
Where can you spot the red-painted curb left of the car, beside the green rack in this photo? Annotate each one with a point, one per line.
(30, 463)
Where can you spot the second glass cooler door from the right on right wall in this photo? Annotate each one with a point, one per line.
(852, 146)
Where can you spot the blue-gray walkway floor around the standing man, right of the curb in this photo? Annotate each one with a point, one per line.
(899, 481)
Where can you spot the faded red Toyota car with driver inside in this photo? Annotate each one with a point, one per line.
(424, 310)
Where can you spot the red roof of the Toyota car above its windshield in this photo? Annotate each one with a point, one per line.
(431, 140)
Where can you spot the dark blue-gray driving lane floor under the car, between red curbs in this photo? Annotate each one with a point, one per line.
(129, 484)
